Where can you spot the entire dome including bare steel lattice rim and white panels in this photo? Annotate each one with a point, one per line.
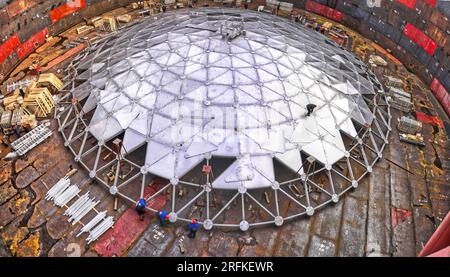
(181, 93)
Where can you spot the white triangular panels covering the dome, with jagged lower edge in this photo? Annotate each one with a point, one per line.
(179, 86)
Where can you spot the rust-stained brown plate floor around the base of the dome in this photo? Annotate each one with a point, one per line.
(392, 213)
